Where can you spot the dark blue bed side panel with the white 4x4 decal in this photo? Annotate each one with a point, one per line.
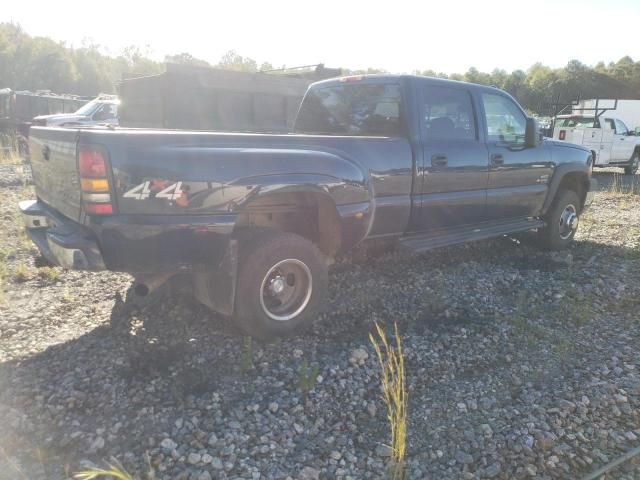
(177, 173)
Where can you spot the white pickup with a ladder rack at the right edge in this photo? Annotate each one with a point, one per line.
(613, 143)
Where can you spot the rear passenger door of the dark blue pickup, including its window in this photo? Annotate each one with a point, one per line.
(454, 168)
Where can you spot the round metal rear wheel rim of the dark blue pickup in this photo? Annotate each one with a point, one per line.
(286, 289)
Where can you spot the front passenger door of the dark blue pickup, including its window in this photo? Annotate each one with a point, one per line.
(518, 175)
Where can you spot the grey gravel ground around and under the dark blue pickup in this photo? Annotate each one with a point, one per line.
(520, 364)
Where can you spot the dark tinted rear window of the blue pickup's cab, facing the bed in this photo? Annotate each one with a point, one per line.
(356, 109)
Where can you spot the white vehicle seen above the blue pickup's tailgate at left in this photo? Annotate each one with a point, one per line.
(100, 111)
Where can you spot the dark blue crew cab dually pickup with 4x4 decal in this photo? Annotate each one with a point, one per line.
(254, 220)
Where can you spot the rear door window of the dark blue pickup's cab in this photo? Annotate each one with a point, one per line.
(447, 114)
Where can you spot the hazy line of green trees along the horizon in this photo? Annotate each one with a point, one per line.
(39, 63)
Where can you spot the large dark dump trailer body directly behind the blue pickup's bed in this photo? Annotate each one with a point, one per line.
(202, 98)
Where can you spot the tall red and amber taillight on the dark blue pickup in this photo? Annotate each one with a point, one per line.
(94, 182)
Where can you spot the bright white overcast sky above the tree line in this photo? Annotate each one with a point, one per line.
(399, 36)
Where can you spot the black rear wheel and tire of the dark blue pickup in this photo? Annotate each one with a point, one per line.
(273, 262)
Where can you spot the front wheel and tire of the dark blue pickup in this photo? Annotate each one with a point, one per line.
(560, 229)
